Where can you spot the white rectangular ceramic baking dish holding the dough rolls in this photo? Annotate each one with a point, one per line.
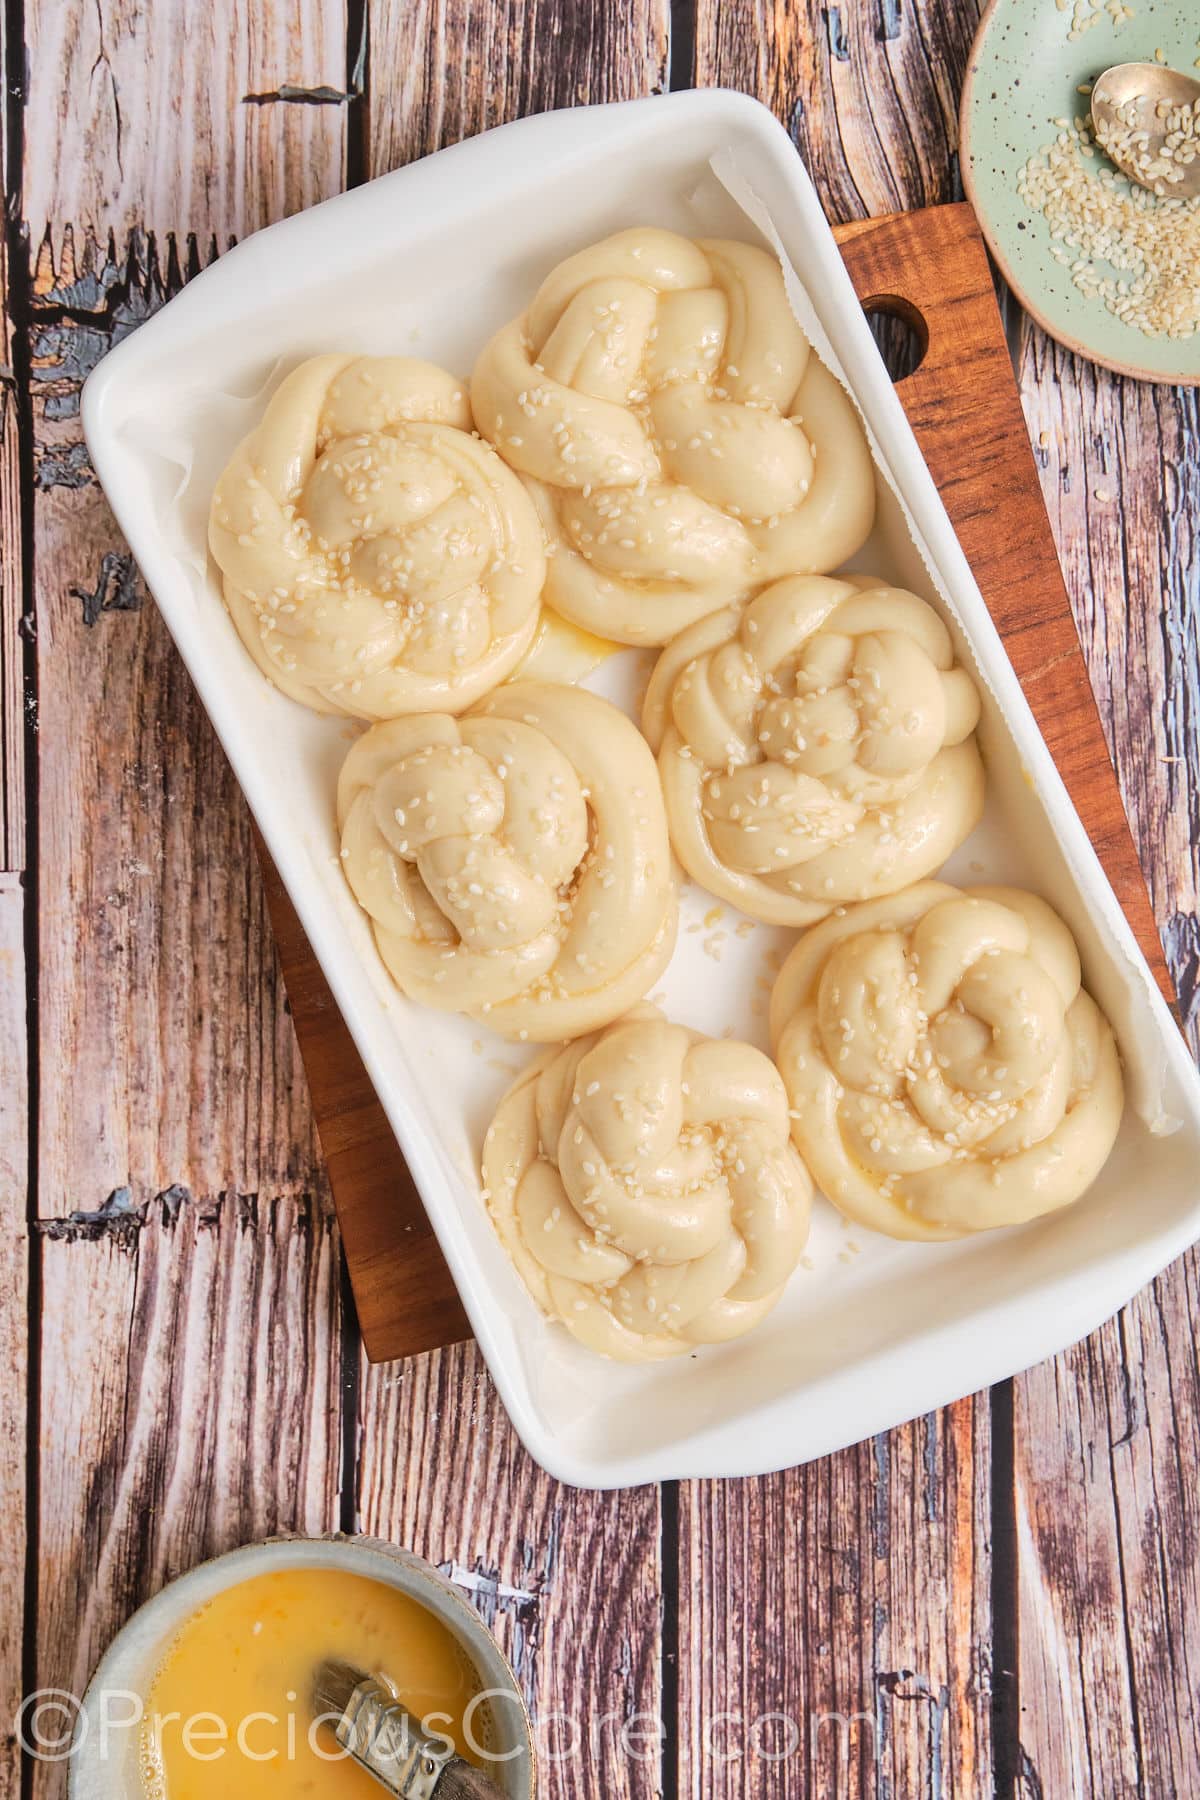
(429, 262)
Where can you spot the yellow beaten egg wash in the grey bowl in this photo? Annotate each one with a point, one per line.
(229, 1711)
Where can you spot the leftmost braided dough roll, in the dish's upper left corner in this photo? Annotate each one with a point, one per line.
(379, 559)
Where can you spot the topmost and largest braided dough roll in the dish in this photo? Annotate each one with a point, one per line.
(679, 440)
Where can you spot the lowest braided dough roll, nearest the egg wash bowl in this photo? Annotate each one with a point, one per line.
(645, 1187)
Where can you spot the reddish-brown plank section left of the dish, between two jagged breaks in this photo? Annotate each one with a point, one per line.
(168, 1056)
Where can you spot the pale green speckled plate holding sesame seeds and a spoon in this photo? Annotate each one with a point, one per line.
(1025, 73)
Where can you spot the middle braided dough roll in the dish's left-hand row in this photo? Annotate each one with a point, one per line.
(515, 863)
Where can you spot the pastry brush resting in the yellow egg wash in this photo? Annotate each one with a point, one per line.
(384, 1738)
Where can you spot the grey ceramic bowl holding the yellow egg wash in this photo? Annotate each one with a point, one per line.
(111, 1772)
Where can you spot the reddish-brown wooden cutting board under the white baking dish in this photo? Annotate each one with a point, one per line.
(963, 404)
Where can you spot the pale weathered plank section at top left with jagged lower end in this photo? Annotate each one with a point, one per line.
(156, 127)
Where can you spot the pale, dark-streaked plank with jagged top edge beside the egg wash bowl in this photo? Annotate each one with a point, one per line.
(188, 1407)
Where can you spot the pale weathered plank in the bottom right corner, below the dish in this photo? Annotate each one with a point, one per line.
(1107, 1448)
